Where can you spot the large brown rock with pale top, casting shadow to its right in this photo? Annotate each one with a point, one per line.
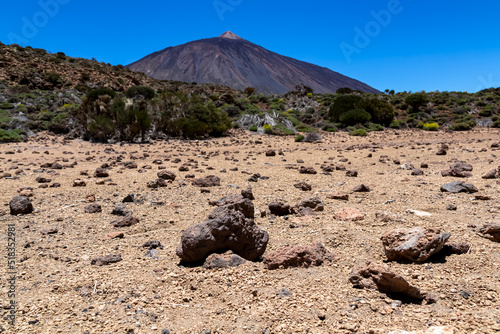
(414, 244)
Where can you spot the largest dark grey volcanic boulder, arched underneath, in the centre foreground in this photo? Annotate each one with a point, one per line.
(229, 227)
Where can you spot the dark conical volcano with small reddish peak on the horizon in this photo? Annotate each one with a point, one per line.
(235, 62)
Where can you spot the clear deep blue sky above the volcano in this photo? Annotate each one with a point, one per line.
(421, 45)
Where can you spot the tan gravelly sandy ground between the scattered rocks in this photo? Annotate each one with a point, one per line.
(59, 291)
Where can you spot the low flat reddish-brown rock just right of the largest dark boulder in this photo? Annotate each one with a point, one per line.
(298, 256)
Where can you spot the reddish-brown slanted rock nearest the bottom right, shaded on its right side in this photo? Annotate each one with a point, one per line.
(375, 276)
